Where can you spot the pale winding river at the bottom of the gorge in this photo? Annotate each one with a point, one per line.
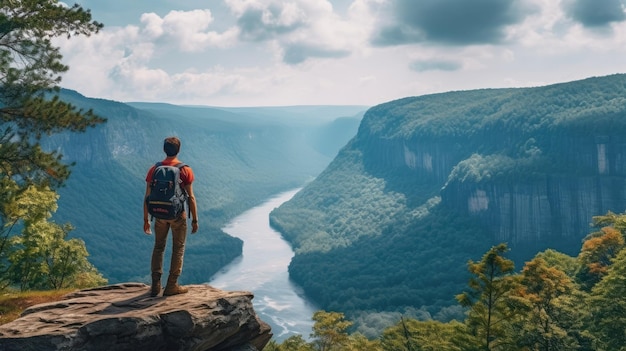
(262, 269)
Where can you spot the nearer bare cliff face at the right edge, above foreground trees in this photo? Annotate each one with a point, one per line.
(549, 208)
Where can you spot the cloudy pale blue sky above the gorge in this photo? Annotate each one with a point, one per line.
(337, 52)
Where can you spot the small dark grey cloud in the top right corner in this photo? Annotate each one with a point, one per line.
(594, 13)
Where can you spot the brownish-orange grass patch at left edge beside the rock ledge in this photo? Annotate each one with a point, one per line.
(13, 303)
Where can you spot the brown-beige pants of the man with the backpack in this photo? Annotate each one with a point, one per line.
(179, 235)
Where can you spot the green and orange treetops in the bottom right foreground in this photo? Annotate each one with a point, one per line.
(556, 302)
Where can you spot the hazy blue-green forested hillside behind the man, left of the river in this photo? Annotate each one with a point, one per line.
(240, 157)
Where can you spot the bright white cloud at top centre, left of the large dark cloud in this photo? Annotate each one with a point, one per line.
(302, 29)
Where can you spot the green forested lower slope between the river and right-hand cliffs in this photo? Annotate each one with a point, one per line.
(378, 251)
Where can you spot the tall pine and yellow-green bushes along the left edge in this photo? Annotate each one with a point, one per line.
(34, 252)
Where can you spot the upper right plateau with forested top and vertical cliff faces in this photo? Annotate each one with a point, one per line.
(534, 165)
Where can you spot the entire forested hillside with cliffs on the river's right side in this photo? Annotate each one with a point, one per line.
(433, 181)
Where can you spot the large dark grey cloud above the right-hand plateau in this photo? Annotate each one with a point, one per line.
(451, 22)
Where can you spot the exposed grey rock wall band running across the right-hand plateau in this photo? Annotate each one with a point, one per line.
(547, 209)
